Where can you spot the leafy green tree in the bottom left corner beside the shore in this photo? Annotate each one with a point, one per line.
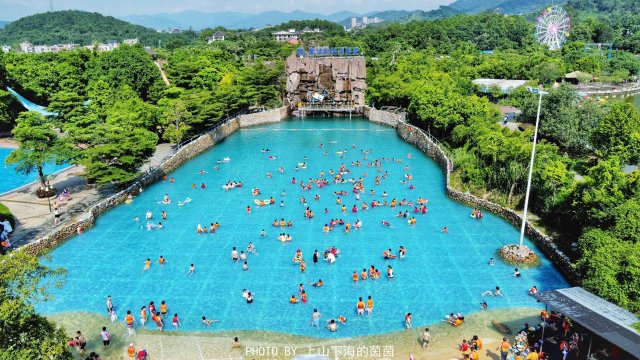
(25, 282)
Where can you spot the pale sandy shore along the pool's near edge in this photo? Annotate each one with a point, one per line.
(264, 345)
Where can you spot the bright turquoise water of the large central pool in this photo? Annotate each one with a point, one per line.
(442, 273)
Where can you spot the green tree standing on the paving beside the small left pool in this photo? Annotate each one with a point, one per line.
(39, 144)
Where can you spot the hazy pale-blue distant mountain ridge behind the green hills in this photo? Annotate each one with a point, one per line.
(231, 20)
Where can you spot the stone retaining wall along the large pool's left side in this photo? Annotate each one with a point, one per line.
(196, 147)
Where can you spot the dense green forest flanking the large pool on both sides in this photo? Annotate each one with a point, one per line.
(580, 193)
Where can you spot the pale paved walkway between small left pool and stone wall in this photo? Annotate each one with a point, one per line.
(34, 219)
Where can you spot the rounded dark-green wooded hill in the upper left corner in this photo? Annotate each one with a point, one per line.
(72, 27)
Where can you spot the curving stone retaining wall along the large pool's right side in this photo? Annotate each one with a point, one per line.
(428, 145)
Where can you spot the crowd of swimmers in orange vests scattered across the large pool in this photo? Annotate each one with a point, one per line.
(341, 176)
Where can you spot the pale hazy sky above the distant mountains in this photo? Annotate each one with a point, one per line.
(14, 9)
